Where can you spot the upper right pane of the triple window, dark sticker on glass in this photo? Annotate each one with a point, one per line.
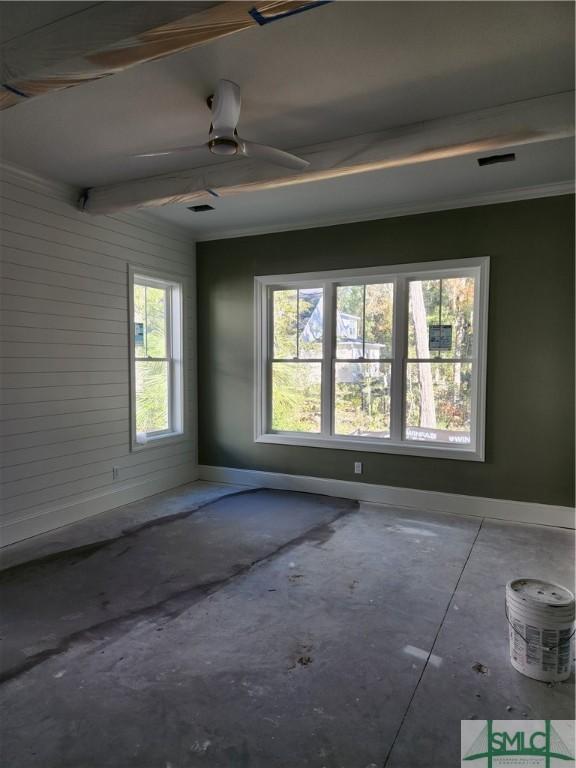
(441, 317)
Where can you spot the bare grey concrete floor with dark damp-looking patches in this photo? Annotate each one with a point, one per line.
(211, 626)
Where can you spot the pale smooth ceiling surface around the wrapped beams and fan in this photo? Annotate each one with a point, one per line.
(339, 70)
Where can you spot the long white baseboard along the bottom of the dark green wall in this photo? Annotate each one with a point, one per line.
(411, 498)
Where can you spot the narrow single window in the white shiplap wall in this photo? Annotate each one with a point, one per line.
(157, 407)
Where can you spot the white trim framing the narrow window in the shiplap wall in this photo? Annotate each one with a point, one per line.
(177, 405)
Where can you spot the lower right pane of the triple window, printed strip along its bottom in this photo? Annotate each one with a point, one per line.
(438, 402)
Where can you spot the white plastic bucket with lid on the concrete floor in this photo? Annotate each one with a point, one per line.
(541, 628)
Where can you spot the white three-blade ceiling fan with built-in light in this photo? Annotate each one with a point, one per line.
(223, 137)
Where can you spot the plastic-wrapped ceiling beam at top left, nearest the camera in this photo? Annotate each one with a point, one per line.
(110, 37)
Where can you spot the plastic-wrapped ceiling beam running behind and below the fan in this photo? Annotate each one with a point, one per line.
(485, 131)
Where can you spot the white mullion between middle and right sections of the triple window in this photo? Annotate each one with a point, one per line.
(399, 352)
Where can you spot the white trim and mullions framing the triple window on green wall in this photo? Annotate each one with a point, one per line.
(477, 267)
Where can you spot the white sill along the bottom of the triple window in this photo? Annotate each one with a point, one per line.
(372, 446)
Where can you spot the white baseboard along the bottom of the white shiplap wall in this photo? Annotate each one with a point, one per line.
(92, 504)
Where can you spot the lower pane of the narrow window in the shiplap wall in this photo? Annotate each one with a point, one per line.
(151, 396)
